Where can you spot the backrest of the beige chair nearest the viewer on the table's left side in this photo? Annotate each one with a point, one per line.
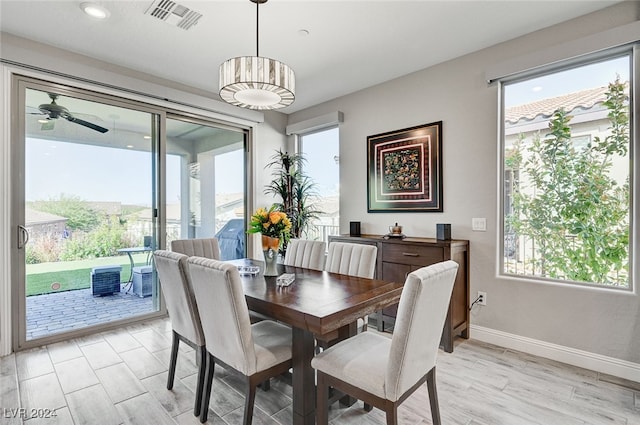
(224, 313)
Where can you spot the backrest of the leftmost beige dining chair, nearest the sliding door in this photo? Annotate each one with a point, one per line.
(178, 294)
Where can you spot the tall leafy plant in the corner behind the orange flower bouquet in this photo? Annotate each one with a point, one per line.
(295, 189)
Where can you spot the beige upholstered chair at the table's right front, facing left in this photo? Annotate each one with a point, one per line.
(383, 372)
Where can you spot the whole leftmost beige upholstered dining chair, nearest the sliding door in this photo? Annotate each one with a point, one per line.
(183, 312)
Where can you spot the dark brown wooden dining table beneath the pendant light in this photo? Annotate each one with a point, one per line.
(316, 304)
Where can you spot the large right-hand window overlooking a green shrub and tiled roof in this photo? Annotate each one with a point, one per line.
(566, 174)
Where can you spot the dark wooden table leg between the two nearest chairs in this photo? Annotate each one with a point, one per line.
(304, 383)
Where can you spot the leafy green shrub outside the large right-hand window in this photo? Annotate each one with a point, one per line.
(572, 207)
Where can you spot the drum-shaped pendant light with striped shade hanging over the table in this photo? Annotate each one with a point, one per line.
(256, 82)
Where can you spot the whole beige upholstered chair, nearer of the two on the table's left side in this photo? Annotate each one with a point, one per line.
(256, 352)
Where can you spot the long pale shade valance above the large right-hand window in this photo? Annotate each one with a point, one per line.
(593, 43)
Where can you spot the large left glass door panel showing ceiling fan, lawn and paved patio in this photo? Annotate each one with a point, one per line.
(88, 212)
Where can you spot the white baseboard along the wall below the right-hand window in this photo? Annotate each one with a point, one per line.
(572, 356)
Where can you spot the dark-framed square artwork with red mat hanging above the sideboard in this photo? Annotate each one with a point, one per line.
(404, 170)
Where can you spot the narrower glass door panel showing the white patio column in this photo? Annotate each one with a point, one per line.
(206, 184)
